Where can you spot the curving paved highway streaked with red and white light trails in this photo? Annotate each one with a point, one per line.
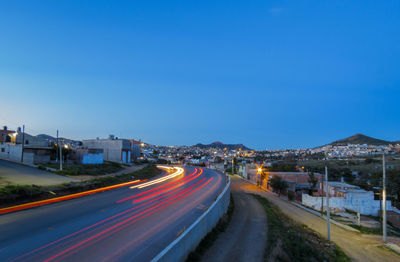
(124, 224)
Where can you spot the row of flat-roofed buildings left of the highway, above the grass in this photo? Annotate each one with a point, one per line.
(19, 146)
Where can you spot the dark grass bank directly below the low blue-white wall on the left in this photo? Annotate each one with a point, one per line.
(91, 170)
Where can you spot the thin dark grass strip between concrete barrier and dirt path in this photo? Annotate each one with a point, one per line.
(210, 238)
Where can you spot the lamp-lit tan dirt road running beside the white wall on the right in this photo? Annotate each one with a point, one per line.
(359, 247)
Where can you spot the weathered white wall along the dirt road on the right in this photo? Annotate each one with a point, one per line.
(365, 205)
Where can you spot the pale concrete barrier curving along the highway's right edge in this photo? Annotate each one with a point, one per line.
(181, 247)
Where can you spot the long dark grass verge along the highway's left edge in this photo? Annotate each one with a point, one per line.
(19, 194)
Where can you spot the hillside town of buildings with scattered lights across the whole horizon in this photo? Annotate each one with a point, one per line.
(19, 146)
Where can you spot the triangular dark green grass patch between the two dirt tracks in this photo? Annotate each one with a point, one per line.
(289, 241)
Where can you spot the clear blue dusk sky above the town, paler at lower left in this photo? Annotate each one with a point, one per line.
(268, 74)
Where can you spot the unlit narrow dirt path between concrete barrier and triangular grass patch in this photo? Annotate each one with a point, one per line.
(246, 235)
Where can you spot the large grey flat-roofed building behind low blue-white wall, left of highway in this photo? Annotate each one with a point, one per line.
(114, 149)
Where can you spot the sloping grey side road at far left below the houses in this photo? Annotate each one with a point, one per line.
(17, 174)
